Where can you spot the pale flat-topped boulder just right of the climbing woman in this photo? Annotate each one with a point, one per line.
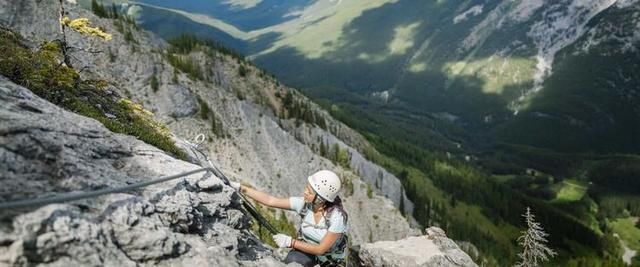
(432, 250)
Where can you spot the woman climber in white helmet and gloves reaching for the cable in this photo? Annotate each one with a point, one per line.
(322, 236)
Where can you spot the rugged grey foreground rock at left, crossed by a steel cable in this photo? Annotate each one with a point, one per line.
(191, 221)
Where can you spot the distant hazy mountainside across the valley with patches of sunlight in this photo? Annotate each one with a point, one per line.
(492, 64)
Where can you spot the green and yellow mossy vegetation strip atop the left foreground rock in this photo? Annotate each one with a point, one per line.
(41, 72)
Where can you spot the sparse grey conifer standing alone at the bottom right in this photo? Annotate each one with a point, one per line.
(533, 242)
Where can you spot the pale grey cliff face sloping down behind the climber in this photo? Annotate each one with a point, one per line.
(260, 149)
